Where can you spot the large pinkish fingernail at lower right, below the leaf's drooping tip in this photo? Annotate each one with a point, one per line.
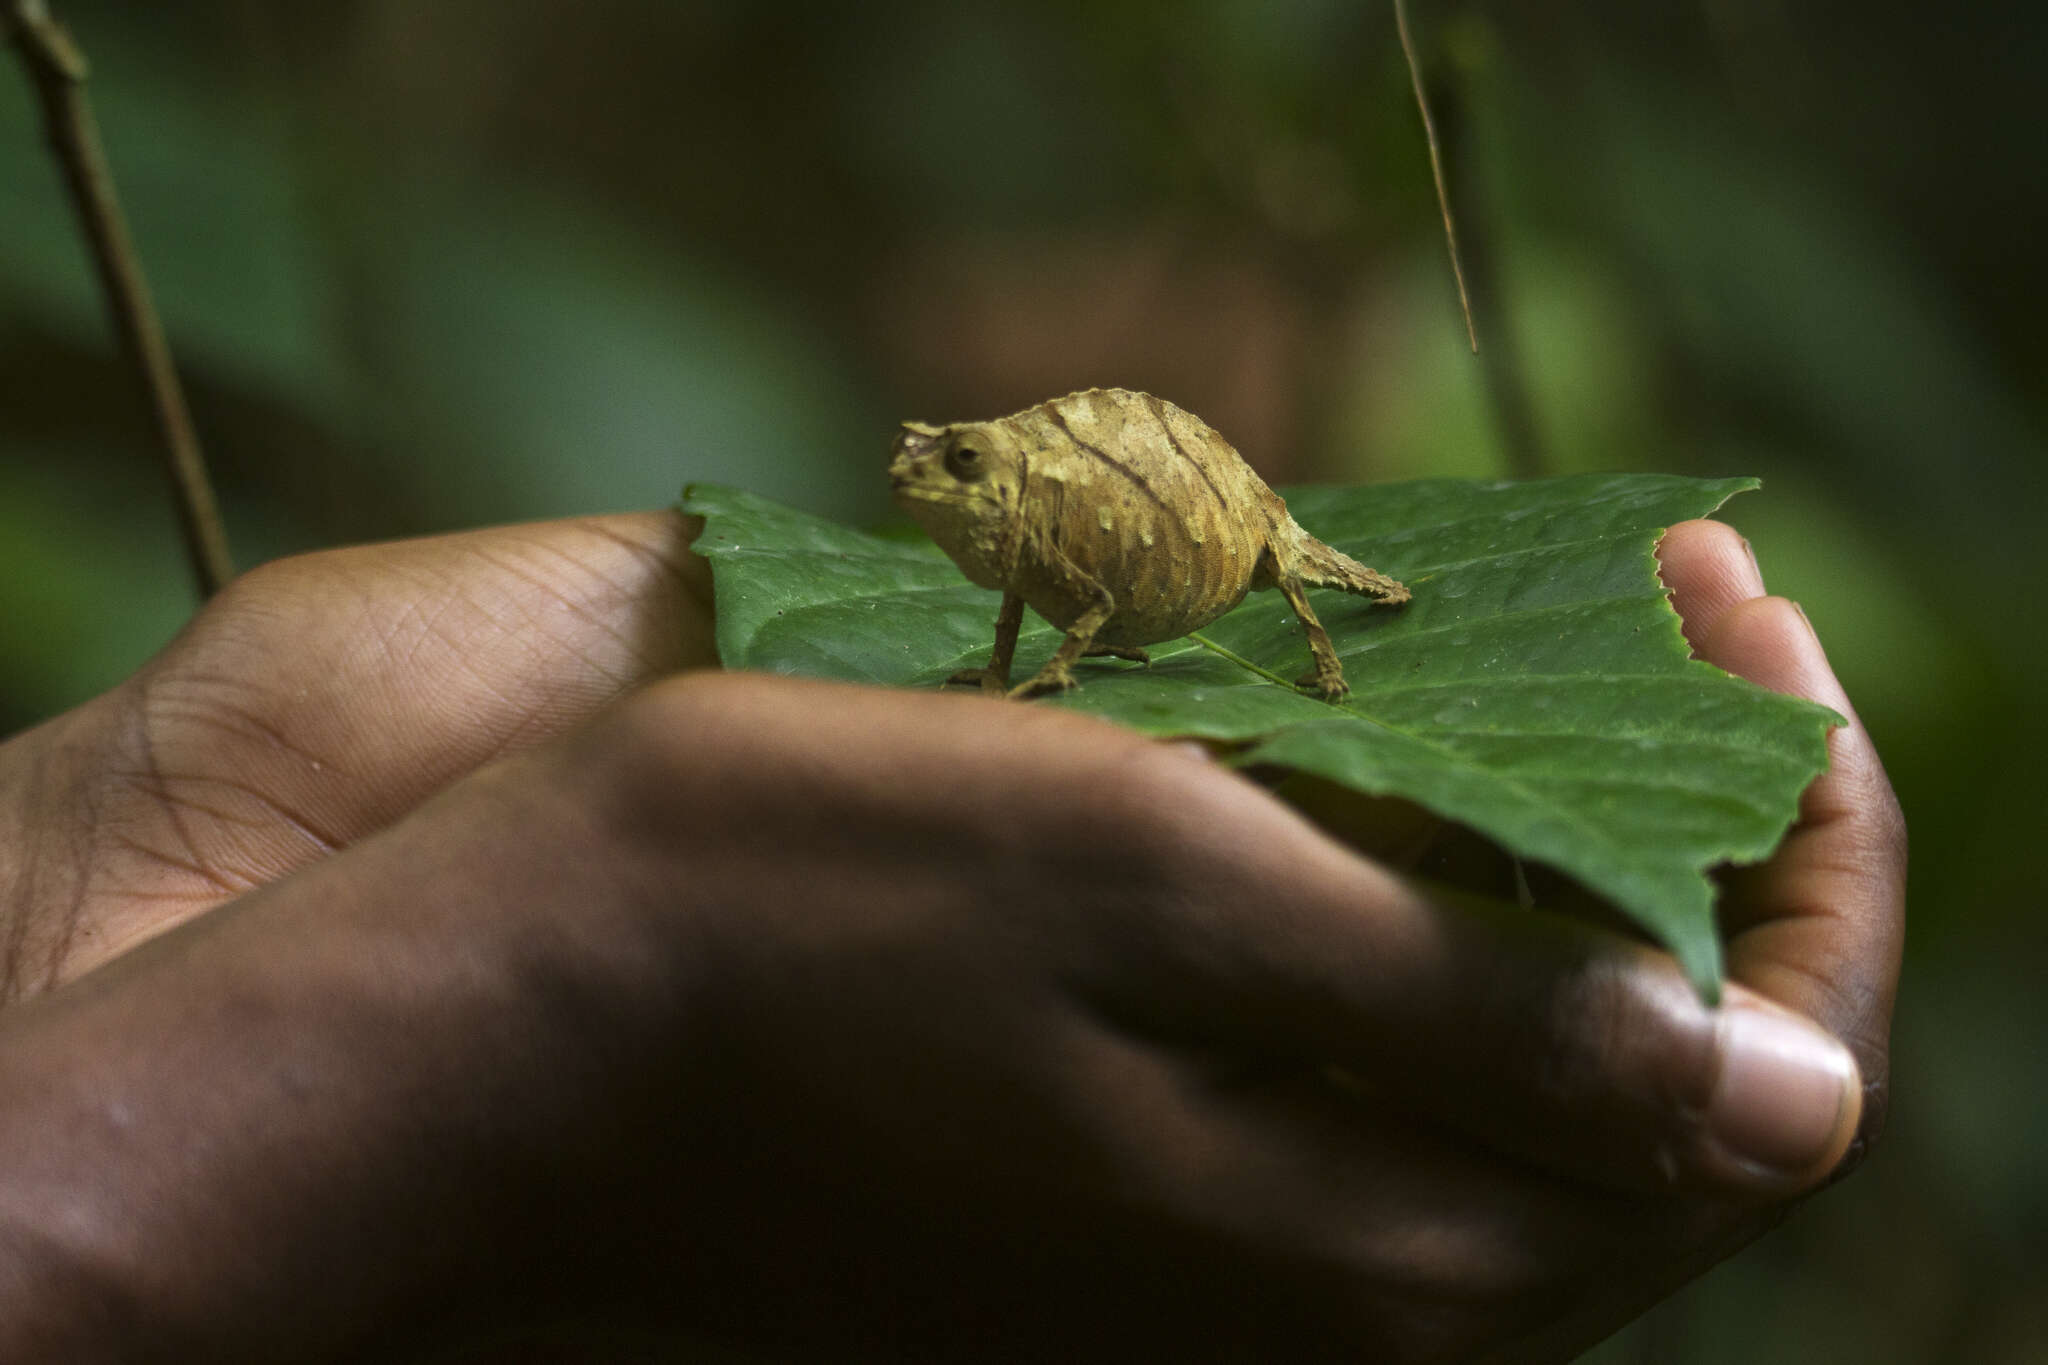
(1783, 1094)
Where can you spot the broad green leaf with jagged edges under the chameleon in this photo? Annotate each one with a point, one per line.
(1537, 689)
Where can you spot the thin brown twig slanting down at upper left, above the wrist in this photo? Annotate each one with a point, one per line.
(58, 73)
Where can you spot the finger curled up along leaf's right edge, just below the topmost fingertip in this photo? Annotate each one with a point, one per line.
(1820, 928)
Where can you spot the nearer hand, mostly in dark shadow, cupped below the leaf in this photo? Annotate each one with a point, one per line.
(1015, 1030)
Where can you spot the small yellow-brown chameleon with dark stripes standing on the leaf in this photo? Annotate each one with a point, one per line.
(1119, 519)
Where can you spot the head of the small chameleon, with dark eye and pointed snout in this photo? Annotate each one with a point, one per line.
(962, 484)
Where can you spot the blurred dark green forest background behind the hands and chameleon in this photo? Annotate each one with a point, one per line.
(433, 267)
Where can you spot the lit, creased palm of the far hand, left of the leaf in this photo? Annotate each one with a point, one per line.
(323, 697)
